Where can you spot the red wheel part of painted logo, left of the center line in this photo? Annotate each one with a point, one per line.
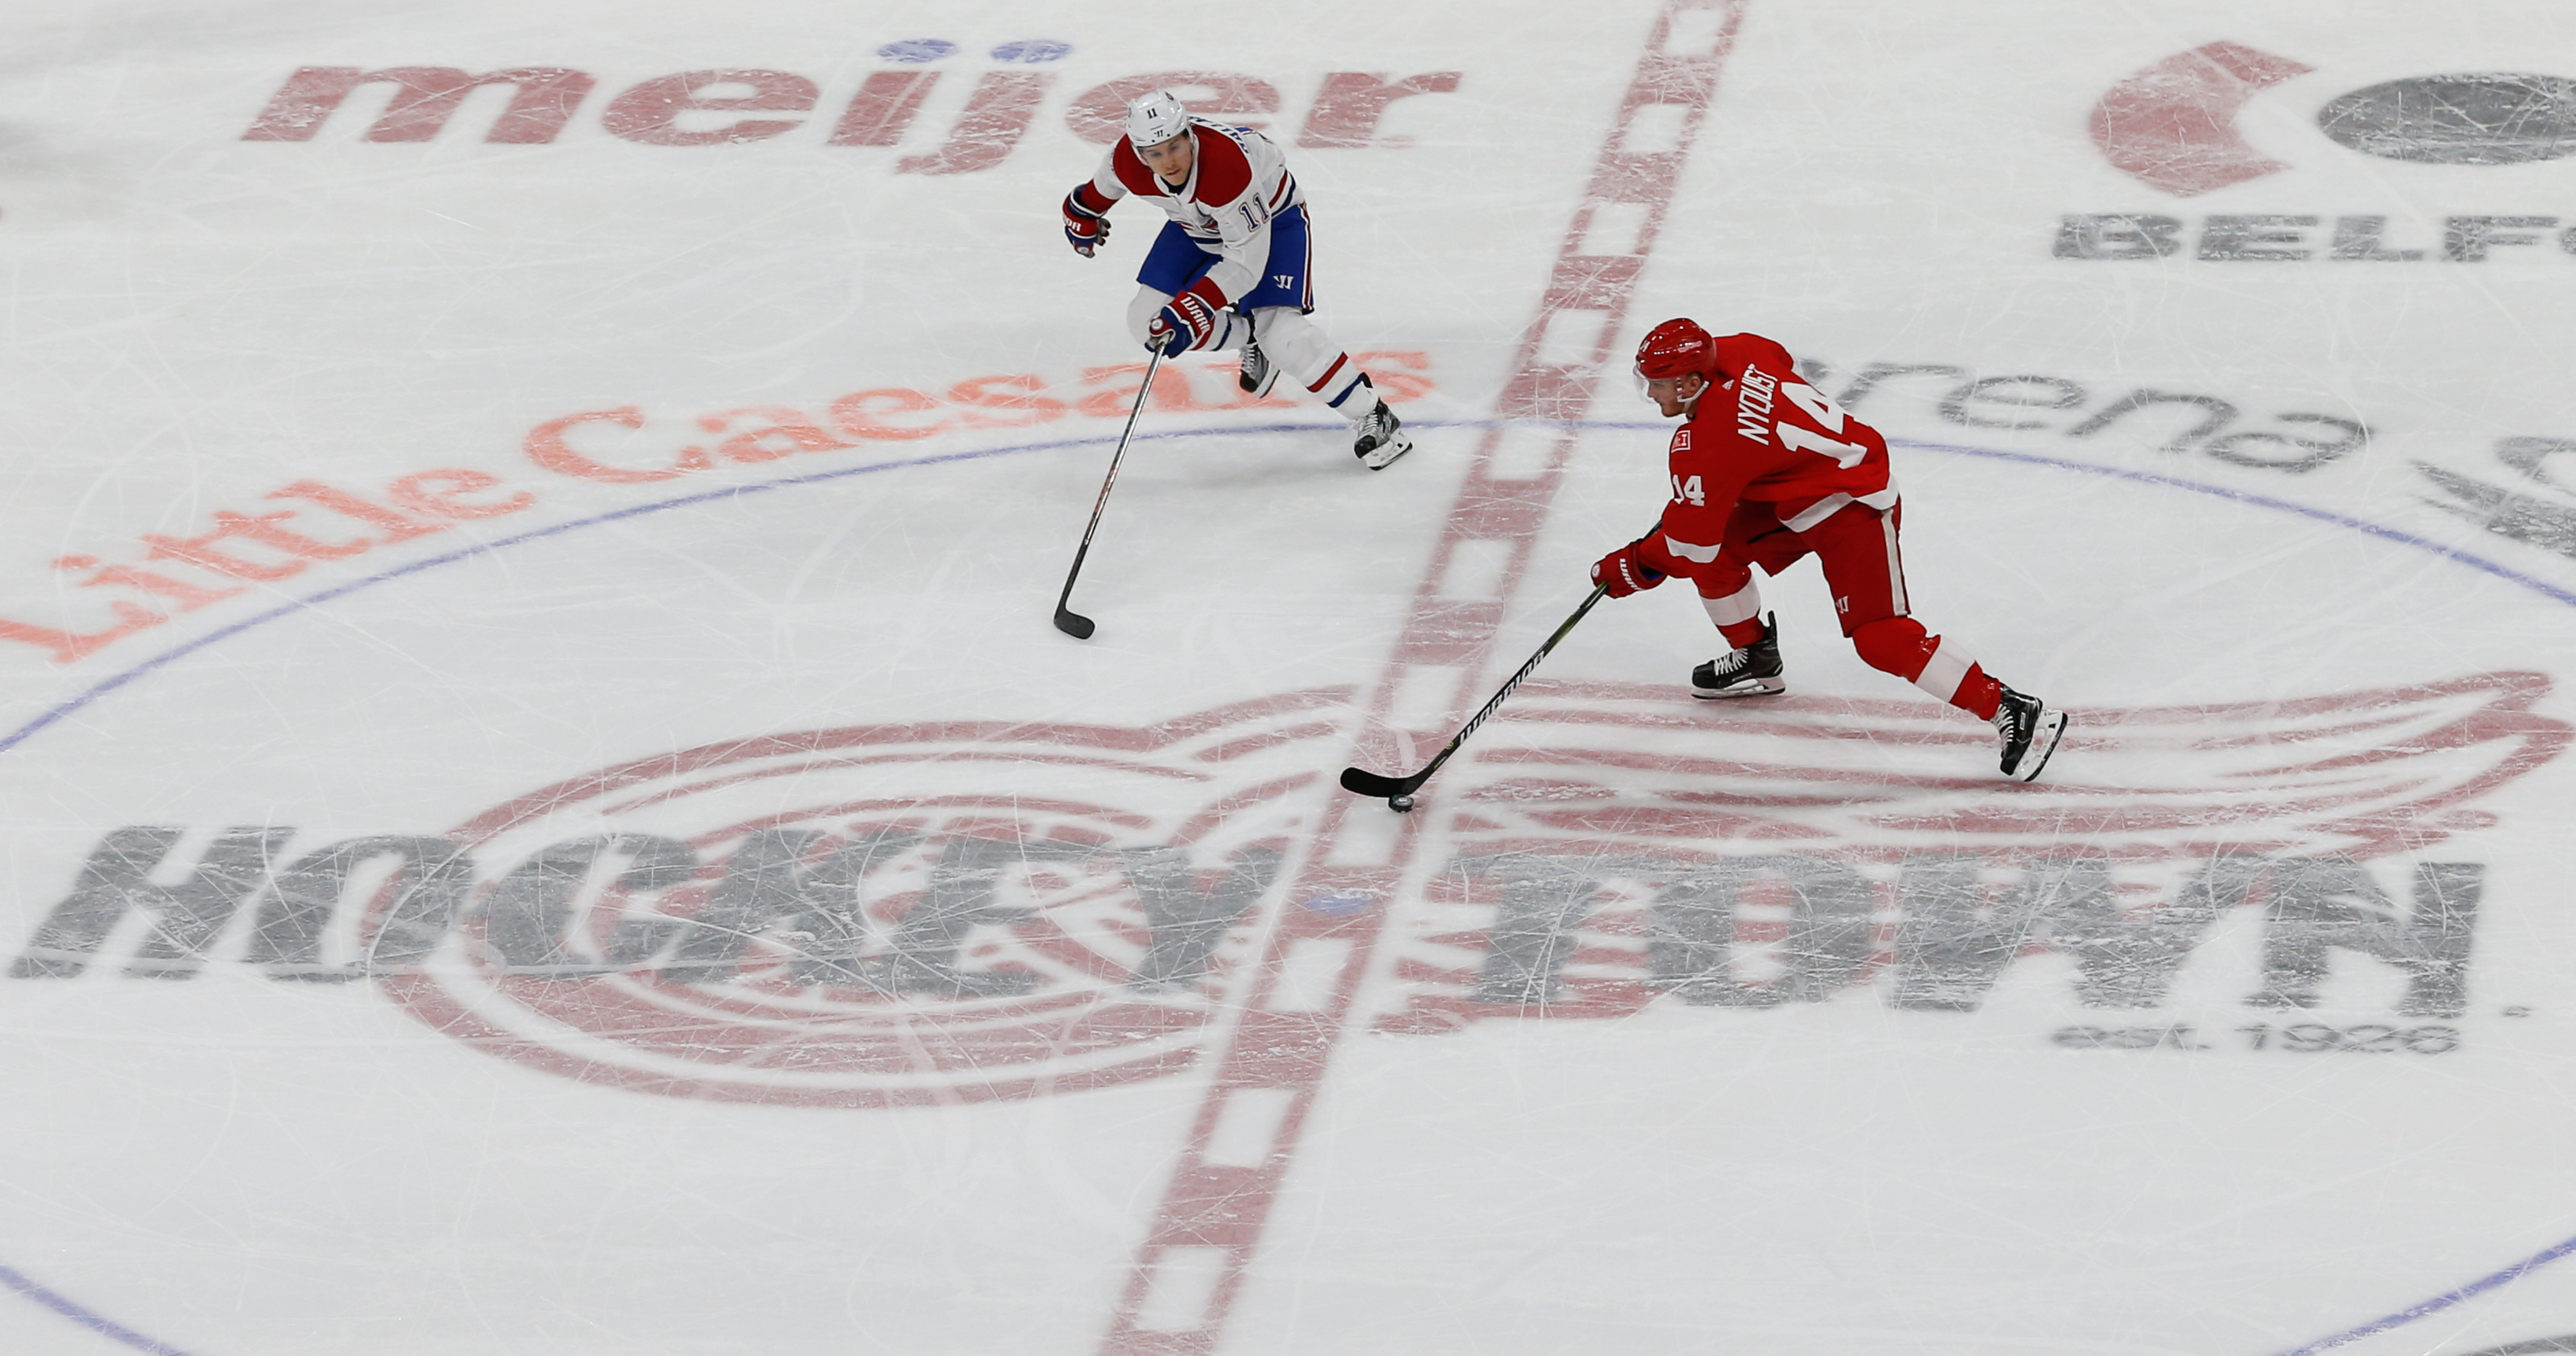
(880, 916)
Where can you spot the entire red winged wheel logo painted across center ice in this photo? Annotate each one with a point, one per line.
(918, 914)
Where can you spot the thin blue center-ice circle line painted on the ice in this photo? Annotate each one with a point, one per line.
(115, 1332)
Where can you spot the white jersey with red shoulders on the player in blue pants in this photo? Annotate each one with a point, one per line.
(1238, 184)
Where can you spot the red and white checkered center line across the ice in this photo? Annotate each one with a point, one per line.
(1294, 1009)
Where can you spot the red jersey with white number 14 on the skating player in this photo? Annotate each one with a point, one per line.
(1763, 440)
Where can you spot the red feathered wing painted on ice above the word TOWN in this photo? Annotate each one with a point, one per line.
(2358, 775)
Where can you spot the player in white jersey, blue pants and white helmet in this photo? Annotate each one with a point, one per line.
(1233, 264)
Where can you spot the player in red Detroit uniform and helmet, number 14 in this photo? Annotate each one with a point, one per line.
(1768, 470)
